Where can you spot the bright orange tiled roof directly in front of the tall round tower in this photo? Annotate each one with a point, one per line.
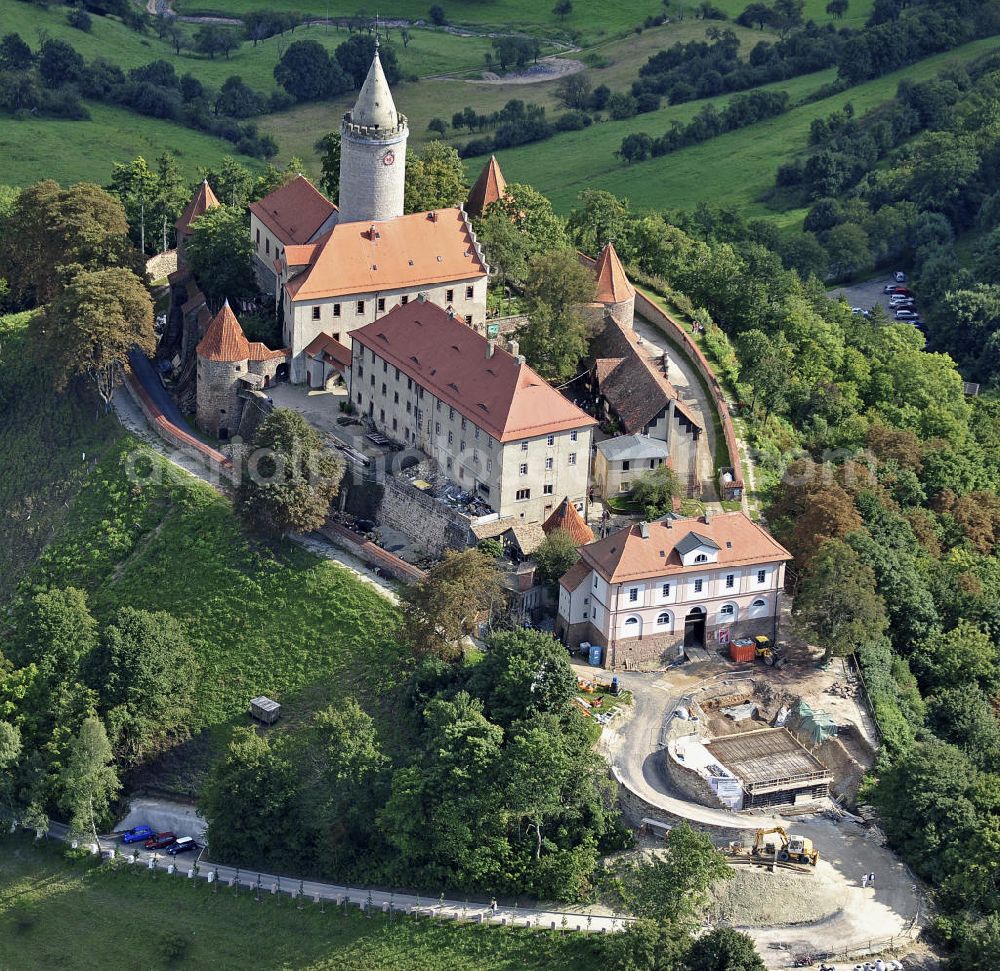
(420, 249)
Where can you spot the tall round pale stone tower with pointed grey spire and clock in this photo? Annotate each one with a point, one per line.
(372, 153)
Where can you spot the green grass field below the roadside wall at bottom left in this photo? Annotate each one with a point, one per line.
(56, 913)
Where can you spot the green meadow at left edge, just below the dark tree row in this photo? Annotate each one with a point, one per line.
(74, 151)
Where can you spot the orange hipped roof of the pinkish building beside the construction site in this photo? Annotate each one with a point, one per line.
(627, 555)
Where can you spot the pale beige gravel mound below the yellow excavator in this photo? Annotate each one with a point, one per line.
(757, 898)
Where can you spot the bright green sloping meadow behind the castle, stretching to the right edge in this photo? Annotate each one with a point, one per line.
(734, 169)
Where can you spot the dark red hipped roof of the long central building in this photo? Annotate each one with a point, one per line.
(498, 393)
